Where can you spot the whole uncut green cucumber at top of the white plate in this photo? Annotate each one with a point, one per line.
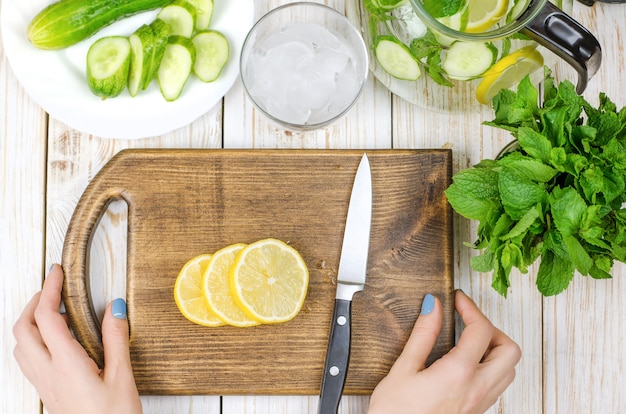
(68, 22)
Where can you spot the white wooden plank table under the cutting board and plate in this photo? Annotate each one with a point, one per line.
(574, 352)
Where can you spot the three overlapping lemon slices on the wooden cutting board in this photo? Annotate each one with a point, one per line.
(241, 285)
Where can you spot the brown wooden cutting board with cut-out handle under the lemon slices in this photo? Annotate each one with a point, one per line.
(182, 203)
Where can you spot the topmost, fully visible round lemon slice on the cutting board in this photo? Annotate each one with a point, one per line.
(269, 281)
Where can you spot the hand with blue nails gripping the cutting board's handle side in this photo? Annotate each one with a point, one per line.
(67, 379)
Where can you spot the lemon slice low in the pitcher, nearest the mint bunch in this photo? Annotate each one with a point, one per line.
(507, 72)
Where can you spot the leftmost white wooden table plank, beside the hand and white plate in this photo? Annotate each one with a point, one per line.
(22, 204)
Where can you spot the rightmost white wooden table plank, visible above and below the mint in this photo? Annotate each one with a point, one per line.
(584, 328)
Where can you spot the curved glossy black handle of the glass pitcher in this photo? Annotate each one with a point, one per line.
(568, 39)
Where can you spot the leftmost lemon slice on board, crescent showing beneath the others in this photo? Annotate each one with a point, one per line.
(189, 296)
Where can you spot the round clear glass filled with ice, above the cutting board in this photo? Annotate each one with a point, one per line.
(304, 65)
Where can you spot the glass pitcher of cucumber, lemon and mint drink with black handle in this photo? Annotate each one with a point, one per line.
(469, 46)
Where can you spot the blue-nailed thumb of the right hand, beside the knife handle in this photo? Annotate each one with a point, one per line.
(423, 337)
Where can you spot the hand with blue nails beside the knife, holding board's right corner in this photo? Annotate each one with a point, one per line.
(467, 380)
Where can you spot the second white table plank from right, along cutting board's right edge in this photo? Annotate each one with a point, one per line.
(519, 314)
